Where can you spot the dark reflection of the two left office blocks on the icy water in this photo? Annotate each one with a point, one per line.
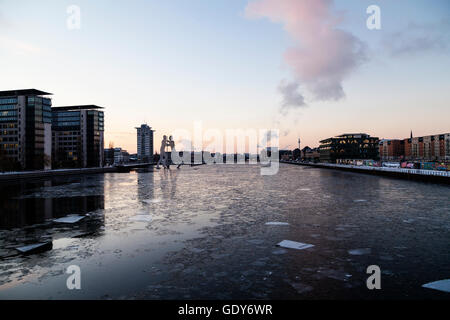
(28, 209)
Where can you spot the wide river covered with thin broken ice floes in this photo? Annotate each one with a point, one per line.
(201, 233)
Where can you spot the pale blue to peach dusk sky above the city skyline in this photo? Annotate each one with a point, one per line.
(309, 68)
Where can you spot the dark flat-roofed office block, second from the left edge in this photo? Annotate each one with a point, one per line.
(78, 136)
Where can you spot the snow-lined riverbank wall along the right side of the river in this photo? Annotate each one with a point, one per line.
(410, 174)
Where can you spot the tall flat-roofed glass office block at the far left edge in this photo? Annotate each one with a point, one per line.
(25, 130)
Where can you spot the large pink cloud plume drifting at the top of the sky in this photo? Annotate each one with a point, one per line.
(324, 55)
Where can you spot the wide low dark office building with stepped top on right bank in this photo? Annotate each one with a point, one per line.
(349, 146)
